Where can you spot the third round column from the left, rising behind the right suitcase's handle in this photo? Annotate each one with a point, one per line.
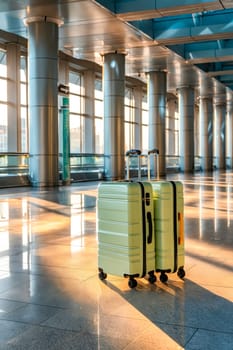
(157, 91)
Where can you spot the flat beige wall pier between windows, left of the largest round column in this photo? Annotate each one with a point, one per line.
(13, 93)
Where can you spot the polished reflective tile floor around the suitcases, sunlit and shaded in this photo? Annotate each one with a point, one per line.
(51, 296)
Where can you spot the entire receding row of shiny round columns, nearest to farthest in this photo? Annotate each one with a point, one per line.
(43, 107)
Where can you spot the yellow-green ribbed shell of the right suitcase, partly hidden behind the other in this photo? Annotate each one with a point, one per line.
(169, 227)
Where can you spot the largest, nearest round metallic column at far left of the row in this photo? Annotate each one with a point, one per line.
(43, 103)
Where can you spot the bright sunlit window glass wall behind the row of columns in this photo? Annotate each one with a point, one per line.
(87, 111)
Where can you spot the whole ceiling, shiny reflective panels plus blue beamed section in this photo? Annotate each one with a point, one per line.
(191, 40)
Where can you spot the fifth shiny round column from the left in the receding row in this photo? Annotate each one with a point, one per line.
(206, 133)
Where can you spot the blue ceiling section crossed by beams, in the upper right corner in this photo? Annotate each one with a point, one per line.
(199, 31)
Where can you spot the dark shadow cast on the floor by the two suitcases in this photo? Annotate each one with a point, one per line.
(184, 311)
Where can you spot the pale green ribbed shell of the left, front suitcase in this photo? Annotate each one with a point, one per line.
(123, 247)
